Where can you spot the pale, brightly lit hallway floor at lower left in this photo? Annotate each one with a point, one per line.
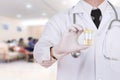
(22, 70)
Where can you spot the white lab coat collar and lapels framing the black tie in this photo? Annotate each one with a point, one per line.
(79, 9)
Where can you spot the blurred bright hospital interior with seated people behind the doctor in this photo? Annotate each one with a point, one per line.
(21, 25)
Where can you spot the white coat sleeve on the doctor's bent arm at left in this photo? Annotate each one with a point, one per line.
(49, 38)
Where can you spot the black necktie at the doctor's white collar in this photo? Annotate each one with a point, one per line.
(96, 16)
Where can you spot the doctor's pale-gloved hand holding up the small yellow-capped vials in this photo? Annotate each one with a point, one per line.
(69, 43)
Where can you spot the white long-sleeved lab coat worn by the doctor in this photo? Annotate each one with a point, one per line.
(91, 65)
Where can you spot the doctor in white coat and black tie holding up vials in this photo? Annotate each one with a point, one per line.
(61, 38)
